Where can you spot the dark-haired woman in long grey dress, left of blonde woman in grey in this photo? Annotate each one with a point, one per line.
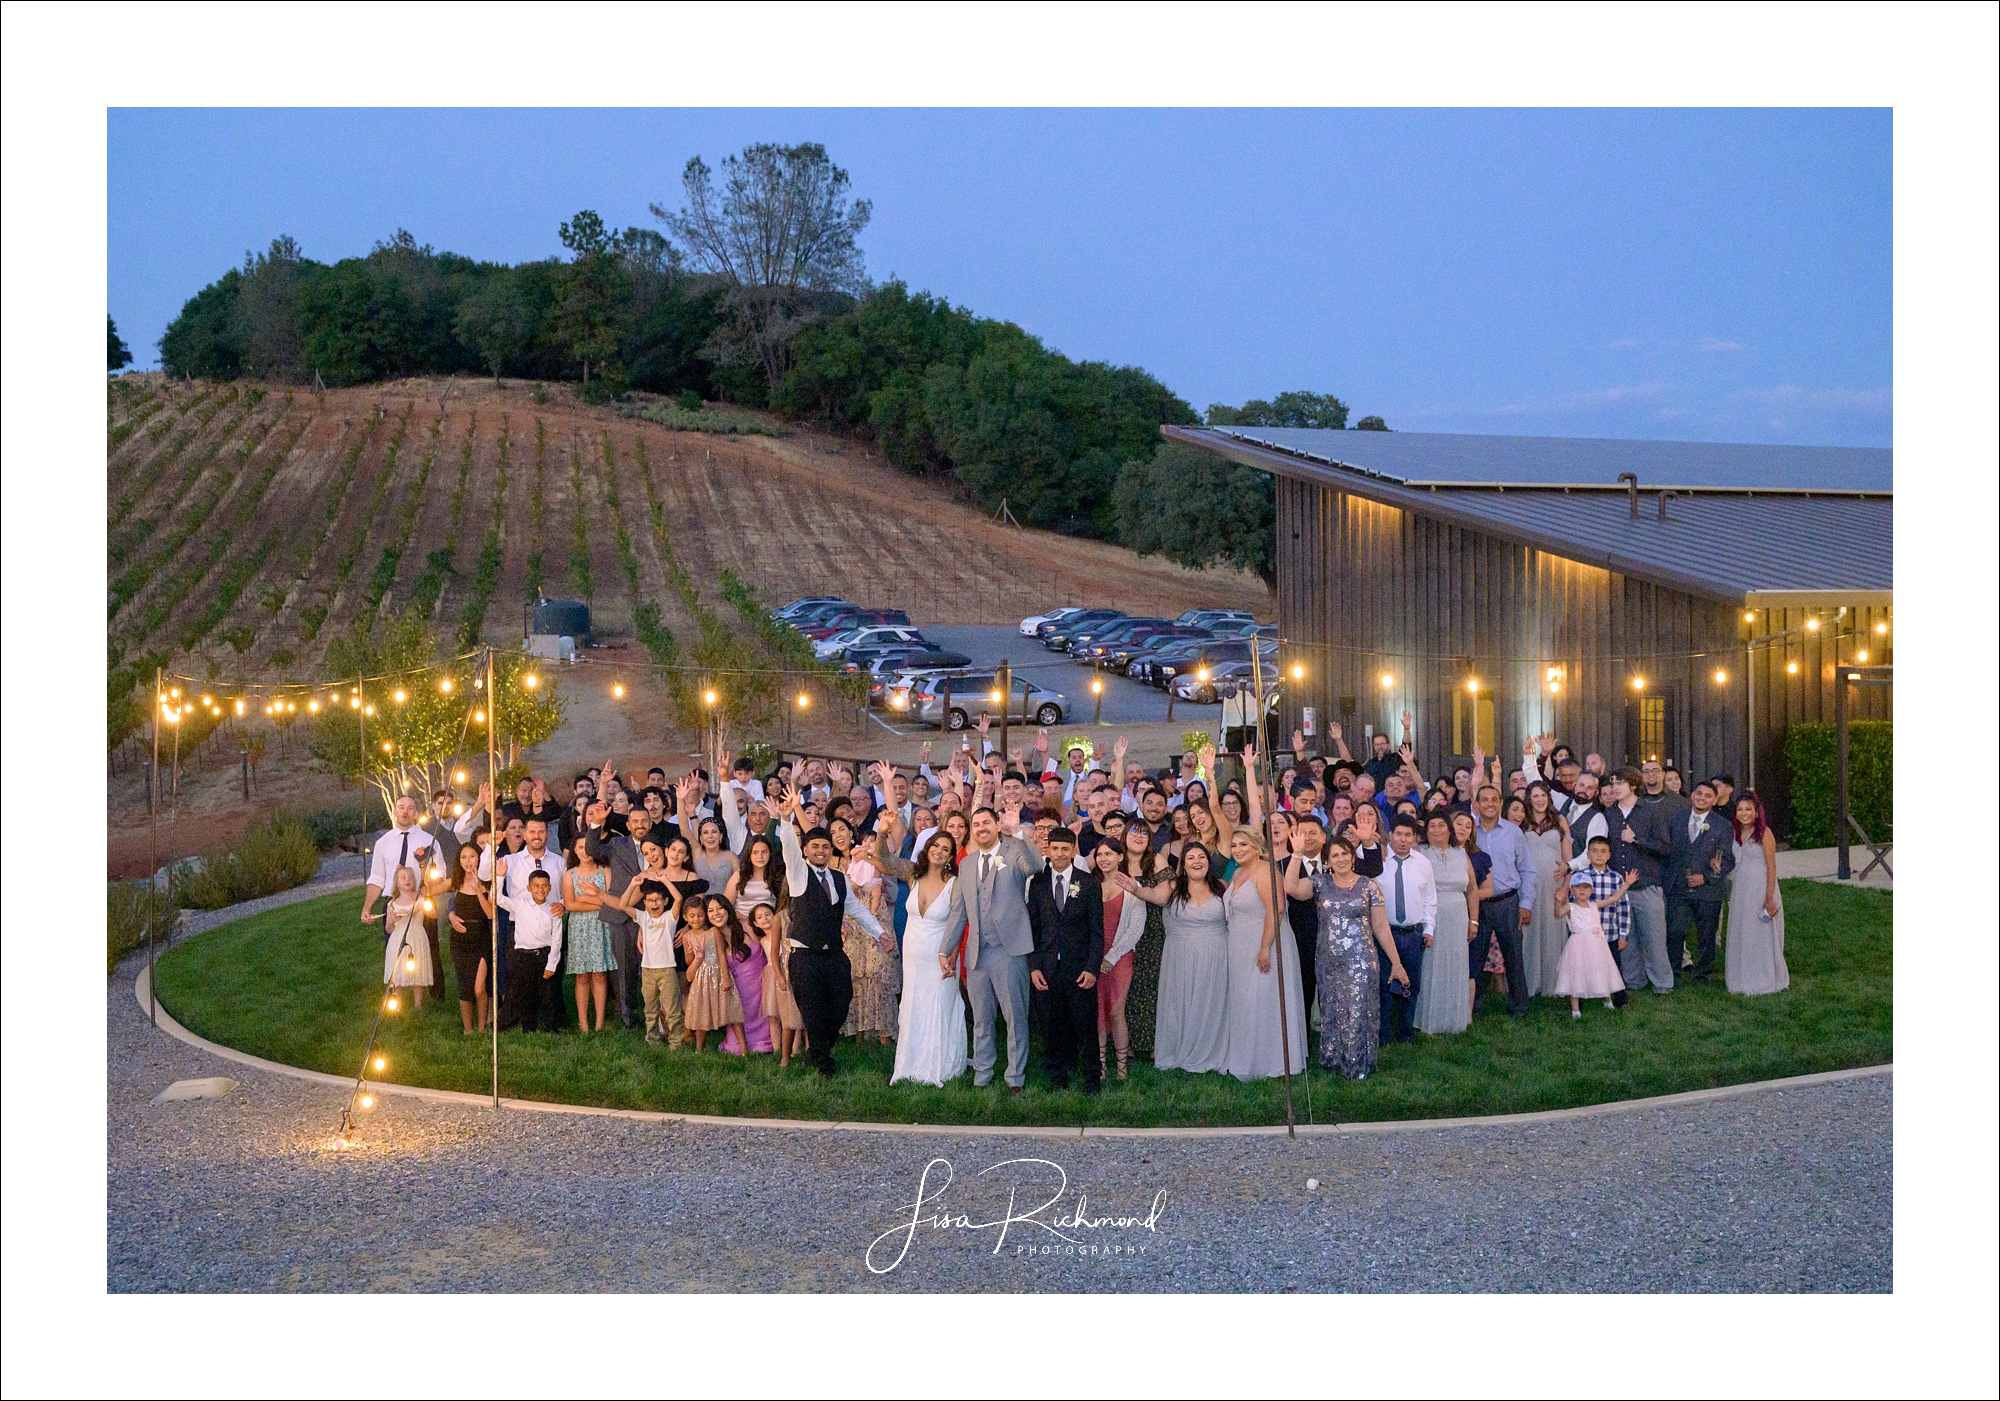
(1195, 968)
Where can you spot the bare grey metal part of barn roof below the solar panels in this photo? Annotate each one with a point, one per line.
(1717, 545)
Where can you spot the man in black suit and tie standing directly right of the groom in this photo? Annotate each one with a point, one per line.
(1067, 914)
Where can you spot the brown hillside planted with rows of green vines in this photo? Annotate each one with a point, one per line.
(251, 525)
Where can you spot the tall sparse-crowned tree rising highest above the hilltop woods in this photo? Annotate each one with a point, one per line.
(781, 237)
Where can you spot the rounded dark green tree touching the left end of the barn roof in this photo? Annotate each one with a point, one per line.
(1199, 509)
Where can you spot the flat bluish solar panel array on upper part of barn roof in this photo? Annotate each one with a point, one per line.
(1473, 459)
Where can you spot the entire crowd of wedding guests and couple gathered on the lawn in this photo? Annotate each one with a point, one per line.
(1213, 916)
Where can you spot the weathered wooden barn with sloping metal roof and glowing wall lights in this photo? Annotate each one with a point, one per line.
(1685, 601)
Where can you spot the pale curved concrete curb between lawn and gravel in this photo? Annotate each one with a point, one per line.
(1025, 1132)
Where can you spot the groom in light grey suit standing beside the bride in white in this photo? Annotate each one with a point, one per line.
(991, 900)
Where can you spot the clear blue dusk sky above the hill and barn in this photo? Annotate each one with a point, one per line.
(1715, 275)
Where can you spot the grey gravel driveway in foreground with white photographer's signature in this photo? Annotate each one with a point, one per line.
(1771, 1192)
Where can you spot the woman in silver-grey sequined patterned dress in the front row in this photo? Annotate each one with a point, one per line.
(1353, 942)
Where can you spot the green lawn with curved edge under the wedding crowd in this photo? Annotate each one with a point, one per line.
(301, 986)
